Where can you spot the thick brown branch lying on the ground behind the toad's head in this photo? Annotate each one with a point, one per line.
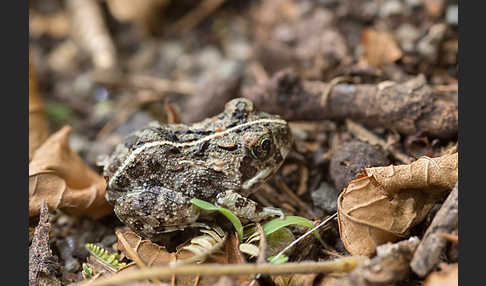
(409, 107)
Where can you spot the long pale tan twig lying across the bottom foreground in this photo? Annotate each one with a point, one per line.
(339, 265)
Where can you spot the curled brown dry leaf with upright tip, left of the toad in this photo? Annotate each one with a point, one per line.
(59, 176)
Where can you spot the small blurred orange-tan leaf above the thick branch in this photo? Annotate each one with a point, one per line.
(380, 48)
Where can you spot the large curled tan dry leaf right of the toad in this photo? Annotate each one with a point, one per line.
(385, 202)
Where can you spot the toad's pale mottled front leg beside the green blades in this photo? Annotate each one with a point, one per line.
(245, 208)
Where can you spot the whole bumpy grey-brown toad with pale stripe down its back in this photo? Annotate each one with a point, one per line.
(155, 171)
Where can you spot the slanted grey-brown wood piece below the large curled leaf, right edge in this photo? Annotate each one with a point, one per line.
(428, 253)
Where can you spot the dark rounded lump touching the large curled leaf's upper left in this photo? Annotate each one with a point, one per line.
(351, 158)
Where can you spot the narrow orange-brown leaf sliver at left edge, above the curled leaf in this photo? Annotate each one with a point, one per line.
(37, 123)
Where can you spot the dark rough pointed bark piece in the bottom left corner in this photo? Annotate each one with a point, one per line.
(41, 259)
